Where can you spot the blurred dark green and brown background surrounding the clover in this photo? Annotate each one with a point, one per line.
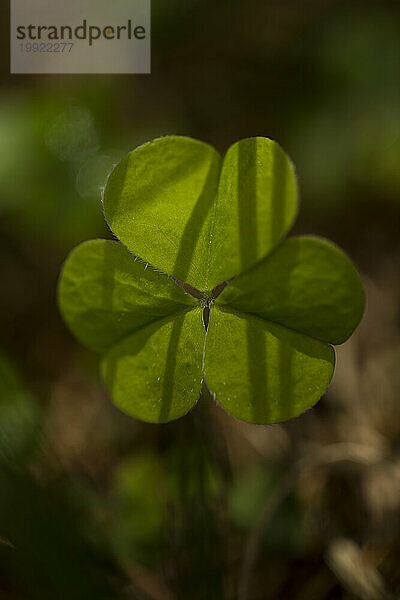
(94, 504)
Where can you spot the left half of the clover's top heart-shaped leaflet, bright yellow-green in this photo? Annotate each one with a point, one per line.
(158, 202)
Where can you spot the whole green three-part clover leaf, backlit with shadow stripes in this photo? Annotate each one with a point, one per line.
(225, 300)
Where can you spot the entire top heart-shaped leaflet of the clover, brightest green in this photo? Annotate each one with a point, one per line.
(170, 203)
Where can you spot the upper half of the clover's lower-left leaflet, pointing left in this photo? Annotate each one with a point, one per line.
(105, 294)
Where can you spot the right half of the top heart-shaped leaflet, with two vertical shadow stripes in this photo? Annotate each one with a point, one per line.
(256, 206)
